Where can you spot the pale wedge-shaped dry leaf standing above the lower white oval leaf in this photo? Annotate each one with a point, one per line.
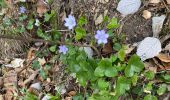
(157, 23)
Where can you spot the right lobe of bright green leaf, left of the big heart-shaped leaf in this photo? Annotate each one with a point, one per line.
(111, 72)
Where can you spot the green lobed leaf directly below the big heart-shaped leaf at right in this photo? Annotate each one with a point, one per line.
(122, 85)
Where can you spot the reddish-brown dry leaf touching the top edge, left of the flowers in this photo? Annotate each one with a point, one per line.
(42, 7)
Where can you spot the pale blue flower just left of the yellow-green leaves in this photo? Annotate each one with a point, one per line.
(70, 22)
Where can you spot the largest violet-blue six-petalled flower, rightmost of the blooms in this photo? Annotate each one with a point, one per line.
(101, 37)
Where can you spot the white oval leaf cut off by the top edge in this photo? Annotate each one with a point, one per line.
(126, 7)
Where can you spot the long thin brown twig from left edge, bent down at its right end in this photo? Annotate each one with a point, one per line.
(50, 42)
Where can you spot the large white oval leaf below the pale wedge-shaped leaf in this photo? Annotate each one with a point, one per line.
(149, 48)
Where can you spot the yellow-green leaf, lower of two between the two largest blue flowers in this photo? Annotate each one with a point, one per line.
(80, 33)
